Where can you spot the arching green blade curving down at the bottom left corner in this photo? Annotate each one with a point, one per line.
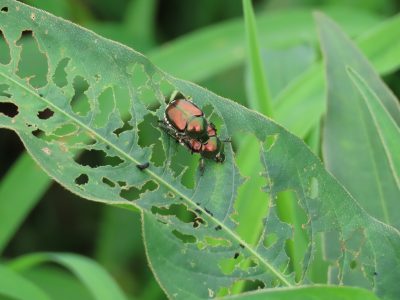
(92, 275)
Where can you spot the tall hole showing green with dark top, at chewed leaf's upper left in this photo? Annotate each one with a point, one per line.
(33, 63)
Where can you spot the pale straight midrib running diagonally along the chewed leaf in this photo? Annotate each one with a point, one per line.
(155, 176)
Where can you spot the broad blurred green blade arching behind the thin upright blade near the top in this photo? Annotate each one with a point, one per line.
(225, 45)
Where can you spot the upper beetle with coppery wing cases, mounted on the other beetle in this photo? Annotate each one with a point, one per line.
(186, 119)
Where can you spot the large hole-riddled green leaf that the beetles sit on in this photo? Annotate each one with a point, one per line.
(88, 115)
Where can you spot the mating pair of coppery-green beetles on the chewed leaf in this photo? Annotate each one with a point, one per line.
(186, 123)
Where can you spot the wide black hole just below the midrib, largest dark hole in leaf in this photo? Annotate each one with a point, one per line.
(96, 158)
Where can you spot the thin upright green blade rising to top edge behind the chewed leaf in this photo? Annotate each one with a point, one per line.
(257, 78)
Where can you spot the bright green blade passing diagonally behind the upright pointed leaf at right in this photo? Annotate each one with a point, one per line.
(300, 107)
